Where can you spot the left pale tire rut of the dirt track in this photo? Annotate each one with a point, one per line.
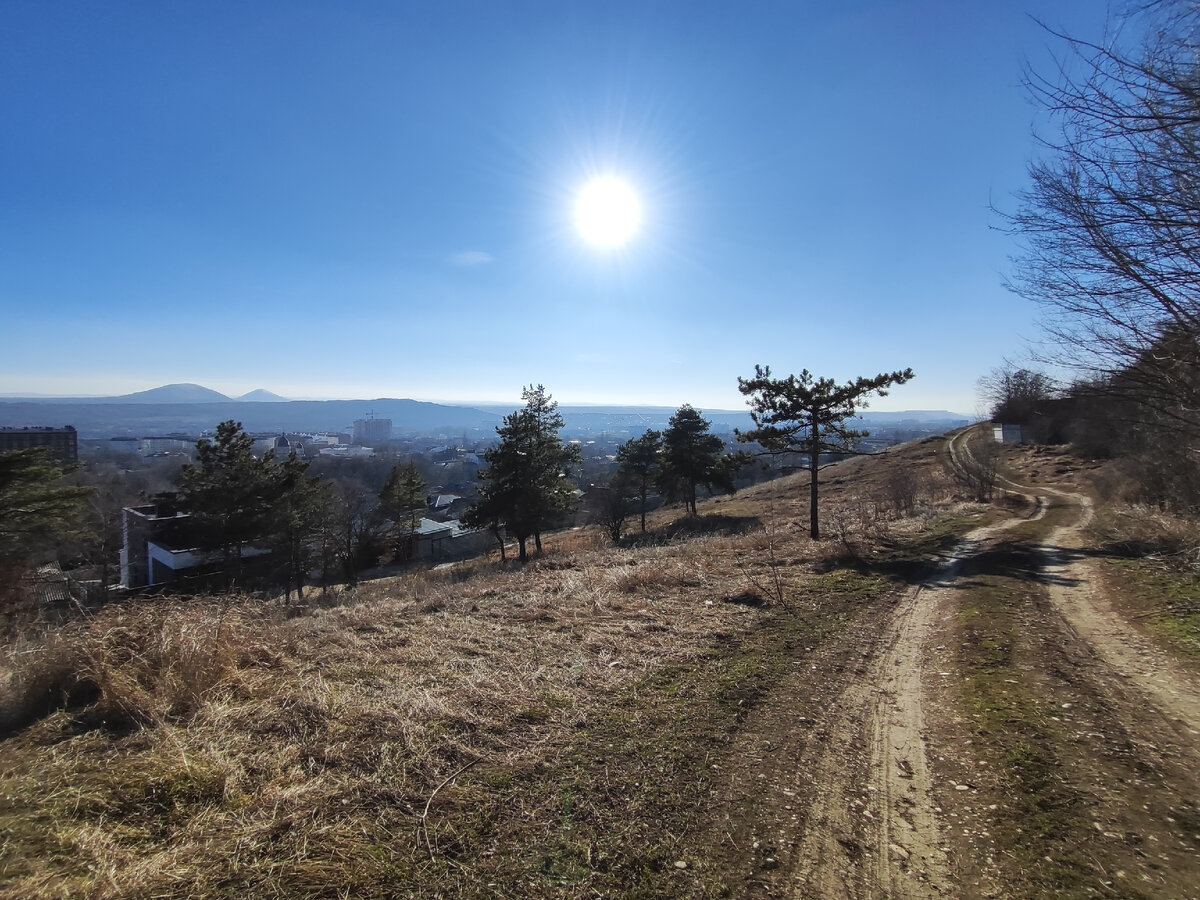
(873, 829)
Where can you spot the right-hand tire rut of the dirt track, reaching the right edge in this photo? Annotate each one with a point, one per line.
(1133, 760)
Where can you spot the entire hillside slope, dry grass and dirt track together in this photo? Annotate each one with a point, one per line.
(725, 710)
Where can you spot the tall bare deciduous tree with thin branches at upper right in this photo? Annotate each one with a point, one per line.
(1111, 225)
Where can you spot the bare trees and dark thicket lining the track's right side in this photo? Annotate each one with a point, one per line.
(1109, 232)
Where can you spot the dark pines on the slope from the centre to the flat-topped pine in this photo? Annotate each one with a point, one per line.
(526, 488)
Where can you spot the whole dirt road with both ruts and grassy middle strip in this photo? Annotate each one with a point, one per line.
(879, 771)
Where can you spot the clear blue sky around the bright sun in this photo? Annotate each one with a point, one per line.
(365, 200)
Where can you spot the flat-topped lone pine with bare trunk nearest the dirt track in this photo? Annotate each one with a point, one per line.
(803, 415)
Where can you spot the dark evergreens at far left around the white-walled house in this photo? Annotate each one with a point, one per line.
(263, 520)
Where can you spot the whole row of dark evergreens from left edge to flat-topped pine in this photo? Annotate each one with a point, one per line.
(269, 521)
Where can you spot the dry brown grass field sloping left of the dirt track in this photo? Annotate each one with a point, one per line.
(583, 727)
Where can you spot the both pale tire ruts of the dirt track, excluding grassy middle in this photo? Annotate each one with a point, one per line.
(873, 826)
